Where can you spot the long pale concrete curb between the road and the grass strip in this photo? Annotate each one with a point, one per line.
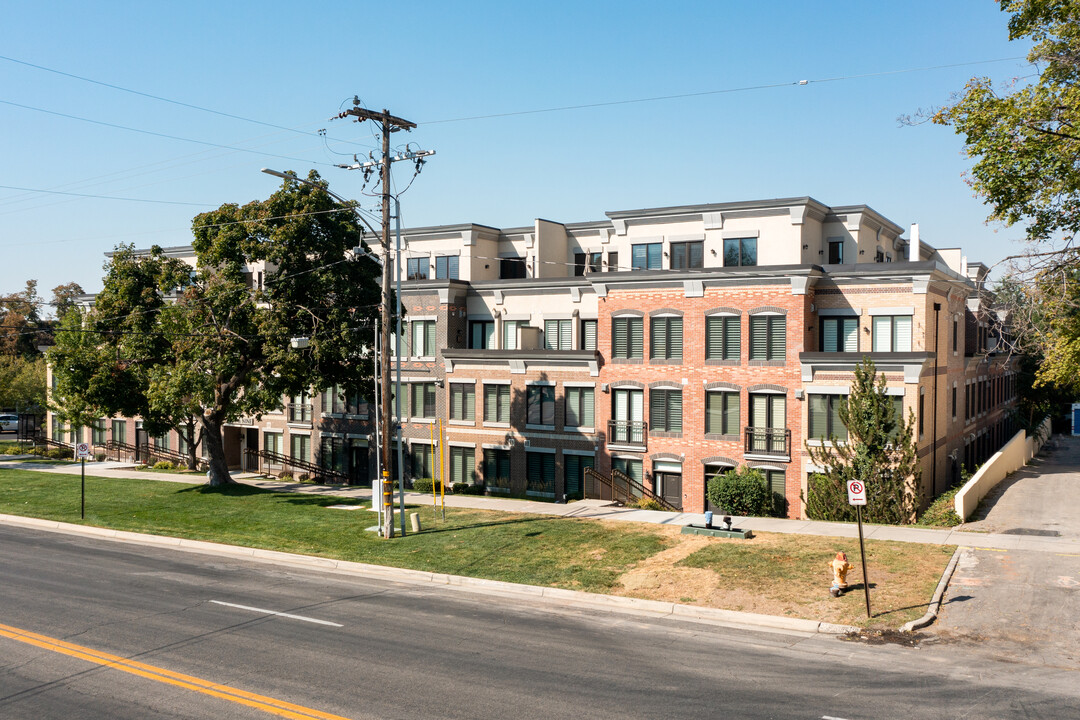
(552, 596)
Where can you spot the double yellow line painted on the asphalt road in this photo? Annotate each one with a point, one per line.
(161, 675)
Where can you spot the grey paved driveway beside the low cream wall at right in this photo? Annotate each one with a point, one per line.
(1021, 605)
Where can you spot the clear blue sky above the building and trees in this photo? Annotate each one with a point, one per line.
(294, 65)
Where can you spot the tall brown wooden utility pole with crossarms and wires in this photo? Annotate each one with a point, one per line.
(388, 125)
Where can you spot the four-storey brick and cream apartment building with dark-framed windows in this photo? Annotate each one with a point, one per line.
(668, 344)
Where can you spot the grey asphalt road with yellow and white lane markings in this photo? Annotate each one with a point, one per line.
(387, 650)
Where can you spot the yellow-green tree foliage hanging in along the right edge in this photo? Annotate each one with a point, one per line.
(1024, 140)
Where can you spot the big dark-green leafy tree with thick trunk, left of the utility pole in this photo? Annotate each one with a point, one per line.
(210, 346)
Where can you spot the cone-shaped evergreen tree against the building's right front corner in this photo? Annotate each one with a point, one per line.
(880, 452)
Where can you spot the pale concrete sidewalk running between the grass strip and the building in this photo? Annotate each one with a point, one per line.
(604, 511)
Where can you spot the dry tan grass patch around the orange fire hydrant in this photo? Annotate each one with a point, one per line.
(781, 575)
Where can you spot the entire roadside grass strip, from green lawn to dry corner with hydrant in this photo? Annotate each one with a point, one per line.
(772, 574)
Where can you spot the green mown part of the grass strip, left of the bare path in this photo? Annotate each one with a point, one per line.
(522, 549)
